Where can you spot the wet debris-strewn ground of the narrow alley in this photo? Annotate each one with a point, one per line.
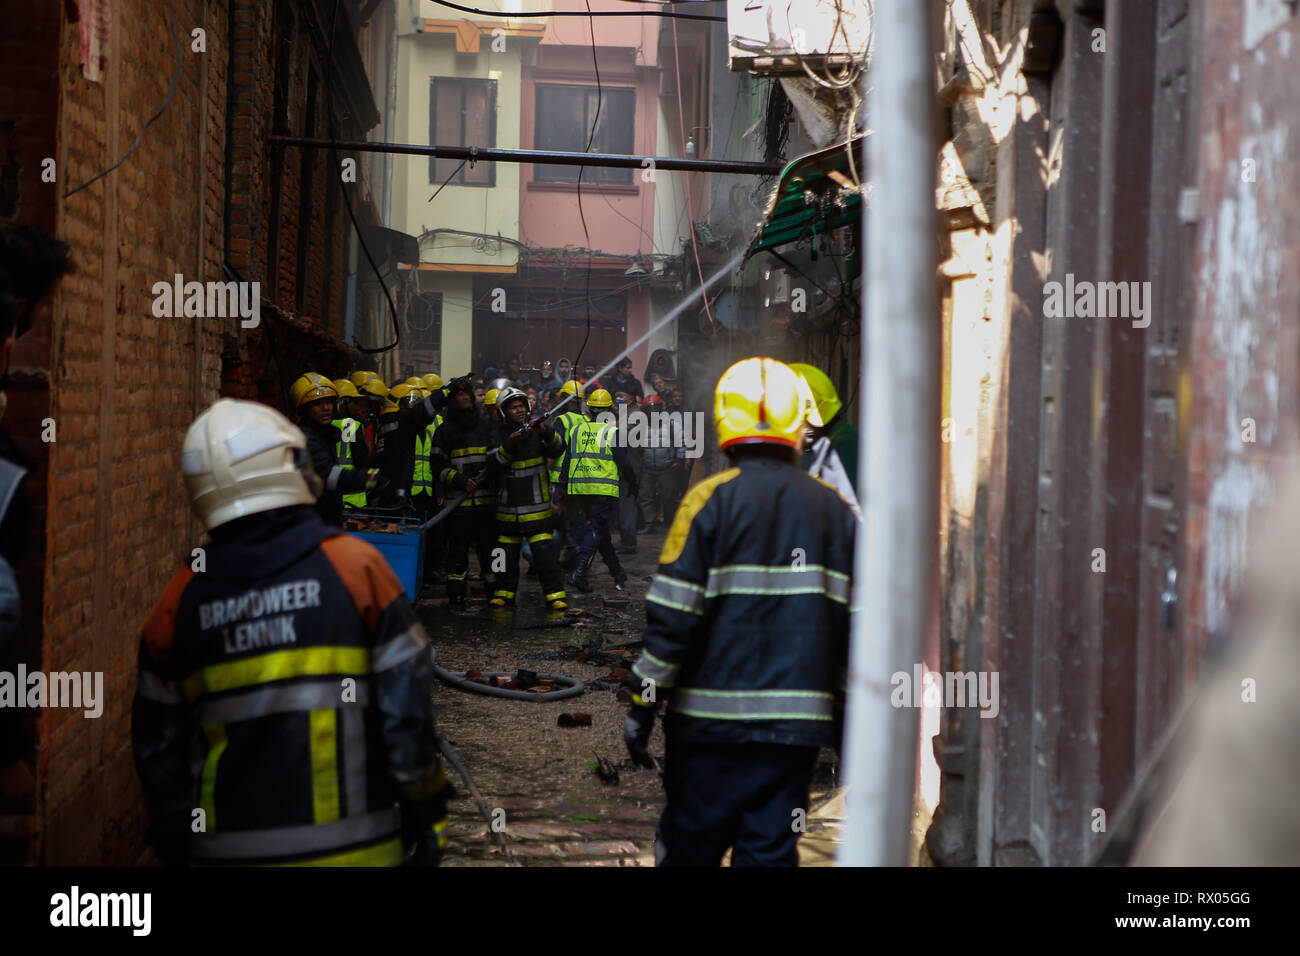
(544, 777)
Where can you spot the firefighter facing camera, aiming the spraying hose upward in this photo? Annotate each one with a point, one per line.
(525, 501)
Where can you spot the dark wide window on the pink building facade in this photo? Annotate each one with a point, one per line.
(565, 118)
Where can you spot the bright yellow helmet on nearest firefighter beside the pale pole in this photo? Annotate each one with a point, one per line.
(761, 401)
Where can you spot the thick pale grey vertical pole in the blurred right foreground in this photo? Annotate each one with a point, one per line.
(895, 559)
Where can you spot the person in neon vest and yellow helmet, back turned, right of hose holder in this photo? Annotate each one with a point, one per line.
(597, 462)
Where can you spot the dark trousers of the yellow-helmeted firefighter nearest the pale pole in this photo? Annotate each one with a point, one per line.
(744, 797)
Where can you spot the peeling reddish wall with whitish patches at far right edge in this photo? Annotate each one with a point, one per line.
(1245, 336)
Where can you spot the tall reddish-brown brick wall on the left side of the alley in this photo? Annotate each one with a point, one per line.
(125, 388)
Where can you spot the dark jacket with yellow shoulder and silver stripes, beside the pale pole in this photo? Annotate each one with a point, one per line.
(748, 620)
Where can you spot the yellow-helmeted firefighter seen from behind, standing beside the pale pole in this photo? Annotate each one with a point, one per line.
(747, 635)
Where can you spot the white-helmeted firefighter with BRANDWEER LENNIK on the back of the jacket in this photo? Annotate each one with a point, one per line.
(285, 691)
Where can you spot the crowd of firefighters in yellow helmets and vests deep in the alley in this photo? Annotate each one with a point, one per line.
(514, 482)
